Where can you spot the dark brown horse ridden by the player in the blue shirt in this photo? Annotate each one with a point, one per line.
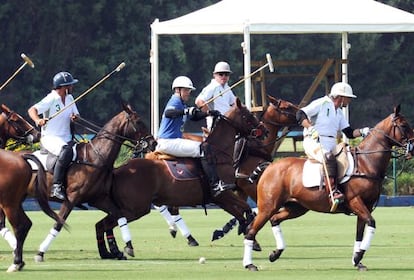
(141, 182)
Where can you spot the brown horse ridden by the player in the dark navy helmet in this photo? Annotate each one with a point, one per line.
(89, 178)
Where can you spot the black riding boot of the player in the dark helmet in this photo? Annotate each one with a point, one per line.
(62, 164)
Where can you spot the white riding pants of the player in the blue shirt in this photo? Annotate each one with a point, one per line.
(179, 147)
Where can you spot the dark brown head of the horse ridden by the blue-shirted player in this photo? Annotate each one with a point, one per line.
(244, 121)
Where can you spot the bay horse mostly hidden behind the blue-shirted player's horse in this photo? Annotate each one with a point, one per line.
(278, 114)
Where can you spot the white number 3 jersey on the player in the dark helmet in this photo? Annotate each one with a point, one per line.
(58, 126)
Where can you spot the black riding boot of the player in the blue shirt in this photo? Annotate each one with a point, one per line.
(209, 167)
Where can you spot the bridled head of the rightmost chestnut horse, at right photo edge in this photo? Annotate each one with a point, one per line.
(397, 131)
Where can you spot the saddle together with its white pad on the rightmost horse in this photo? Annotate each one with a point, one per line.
(312, 170)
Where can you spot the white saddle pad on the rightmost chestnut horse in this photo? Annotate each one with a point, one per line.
(311, 175)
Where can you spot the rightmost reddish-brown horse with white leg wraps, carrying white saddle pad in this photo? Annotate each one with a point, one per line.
(281, 194)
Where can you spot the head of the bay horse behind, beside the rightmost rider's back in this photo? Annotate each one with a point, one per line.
(280, 113)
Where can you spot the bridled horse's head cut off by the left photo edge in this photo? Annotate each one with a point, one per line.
(16, 127)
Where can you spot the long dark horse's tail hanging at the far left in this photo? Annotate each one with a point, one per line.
(40, 187)
